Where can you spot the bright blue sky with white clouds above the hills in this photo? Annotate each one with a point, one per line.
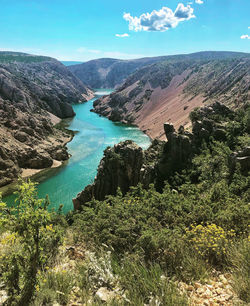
(81, 30)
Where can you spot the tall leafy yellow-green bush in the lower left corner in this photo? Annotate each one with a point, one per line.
(32, 236)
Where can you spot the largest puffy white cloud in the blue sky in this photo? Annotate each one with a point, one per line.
(161, 20)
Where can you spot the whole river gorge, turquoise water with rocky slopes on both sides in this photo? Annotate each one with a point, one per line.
(165, 90)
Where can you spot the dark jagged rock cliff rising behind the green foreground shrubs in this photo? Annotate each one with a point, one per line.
(126, 164)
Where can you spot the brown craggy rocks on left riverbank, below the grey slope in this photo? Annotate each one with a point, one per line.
(27, 140)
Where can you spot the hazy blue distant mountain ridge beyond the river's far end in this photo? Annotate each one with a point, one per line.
(111, 73)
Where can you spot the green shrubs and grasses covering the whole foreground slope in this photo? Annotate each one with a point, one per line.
(139, 246)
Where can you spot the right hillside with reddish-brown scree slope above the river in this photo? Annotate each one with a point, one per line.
(170, 89)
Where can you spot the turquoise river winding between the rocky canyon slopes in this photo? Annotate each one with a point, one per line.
(94, 134)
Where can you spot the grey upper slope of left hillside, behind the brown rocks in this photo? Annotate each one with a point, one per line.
(43, 83)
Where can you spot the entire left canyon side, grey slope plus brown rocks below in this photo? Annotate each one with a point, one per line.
(35, 92)
